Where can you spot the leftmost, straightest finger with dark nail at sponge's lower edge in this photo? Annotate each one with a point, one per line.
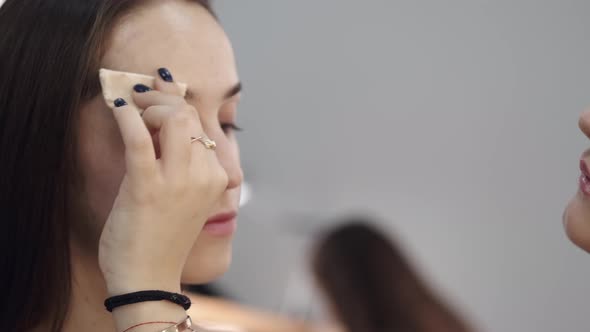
(139, 150)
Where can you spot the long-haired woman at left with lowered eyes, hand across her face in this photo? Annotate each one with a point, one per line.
(99, 202)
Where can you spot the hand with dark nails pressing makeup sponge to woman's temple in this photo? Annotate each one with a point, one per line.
(162, 202)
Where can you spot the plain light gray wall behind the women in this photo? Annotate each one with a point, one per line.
(455, 122)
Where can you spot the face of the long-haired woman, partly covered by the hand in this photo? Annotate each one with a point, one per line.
(184, 38)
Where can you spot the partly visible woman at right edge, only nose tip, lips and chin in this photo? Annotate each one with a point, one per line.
(576, 217)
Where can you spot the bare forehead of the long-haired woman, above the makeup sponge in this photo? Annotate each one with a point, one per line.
(179, 35)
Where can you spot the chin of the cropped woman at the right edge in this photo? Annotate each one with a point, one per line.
(577, 224)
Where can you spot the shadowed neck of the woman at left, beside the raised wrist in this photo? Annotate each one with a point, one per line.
(87, 312)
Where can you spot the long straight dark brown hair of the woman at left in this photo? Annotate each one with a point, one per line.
(50, 52)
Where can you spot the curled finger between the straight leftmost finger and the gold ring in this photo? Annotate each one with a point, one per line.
(175, 139)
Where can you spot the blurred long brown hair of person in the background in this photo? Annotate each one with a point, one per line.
(372, 287)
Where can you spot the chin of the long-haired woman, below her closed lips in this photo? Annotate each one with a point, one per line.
(209, 259)
